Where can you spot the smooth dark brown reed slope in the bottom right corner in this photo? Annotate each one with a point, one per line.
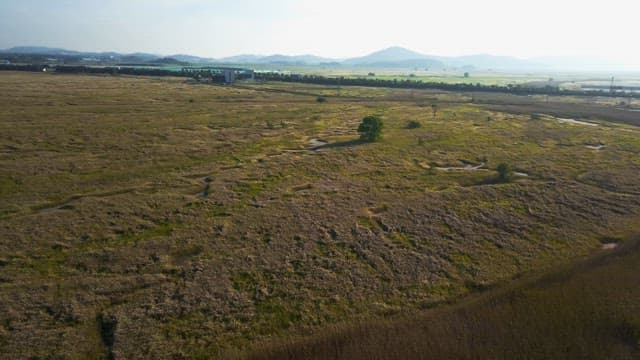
(585, 311)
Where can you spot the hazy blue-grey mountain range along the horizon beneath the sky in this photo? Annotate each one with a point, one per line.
(393, 57)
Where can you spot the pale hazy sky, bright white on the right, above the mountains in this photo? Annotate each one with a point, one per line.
(332, 28)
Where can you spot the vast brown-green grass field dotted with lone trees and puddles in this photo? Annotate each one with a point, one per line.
(156, 218)
